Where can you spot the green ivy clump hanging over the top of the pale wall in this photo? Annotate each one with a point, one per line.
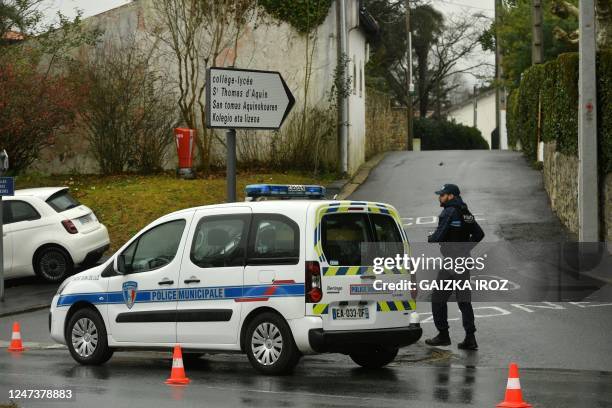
(303, 15)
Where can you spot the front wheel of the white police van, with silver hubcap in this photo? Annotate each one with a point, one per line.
(86, 338)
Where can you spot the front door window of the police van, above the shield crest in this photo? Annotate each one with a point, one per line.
(155, 248)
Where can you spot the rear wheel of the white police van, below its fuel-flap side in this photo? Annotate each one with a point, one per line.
(270, 346)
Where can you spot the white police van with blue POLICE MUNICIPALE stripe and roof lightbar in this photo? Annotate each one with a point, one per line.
(274, 279)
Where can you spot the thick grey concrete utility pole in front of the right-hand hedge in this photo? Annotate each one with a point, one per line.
(588, 192)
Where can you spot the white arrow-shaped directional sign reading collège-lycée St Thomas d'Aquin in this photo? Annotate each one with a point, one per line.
(246, 99)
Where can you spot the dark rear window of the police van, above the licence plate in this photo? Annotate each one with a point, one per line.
(344, 235)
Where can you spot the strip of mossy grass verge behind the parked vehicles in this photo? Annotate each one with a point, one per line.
(127, 203)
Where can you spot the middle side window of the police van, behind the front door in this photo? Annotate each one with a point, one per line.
(219, 241)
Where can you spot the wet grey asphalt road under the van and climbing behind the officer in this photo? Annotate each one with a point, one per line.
(563, 348)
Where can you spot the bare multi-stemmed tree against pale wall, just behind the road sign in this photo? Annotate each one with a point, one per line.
(200, 34)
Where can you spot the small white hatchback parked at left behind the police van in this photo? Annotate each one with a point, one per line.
(47, 232)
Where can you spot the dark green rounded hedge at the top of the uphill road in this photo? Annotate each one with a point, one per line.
(438, 134)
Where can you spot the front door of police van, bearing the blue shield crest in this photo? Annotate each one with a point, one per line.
(143, 293)
